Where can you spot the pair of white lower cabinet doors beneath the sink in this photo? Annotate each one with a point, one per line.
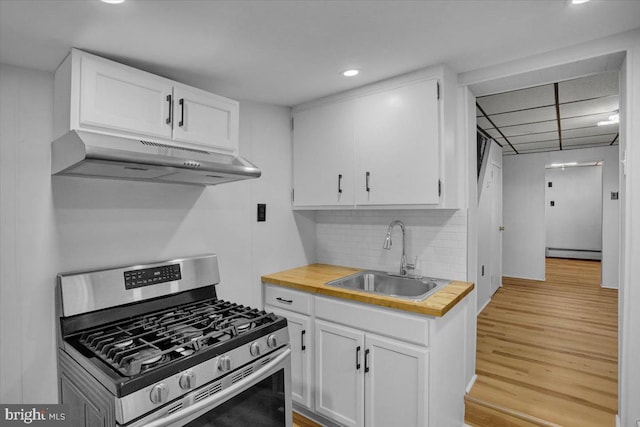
(363, 379)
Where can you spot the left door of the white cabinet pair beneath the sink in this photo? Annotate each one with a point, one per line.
(339, 373)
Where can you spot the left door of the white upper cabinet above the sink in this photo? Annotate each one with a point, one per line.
(323, 155)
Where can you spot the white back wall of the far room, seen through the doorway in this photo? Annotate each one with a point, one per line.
(575, 219)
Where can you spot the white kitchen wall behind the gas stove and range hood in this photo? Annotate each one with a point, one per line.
(61, 224)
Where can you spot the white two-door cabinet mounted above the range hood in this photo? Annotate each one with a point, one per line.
(96, 94)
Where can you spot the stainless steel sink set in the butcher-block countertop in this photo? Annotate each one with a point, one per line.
(378, 282)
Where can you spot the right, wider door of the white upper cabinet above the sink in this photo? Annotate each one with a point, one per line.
(397, 146)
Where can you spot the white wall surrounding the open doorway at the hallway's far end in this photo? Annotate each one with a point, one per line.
(524, 211)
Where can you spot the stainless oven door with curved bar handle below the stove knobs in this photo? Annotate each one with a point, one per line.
(263, 398)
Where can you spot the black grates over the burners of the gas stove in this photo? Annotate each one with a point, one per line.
(142, 343)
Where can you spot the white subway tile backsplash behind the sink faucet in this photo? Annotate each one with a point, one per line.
(438, 238)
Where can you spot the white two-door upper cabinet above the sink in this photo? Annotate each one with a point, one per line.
(387, 144)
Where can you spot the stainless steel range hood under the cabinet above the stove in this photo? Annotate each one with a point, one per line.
(88, 154)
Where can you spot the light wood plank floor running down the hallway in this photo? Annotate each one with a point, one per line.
(547, 352)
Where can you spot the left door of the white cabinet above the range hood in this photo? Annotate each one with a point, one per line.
(118, 97)
